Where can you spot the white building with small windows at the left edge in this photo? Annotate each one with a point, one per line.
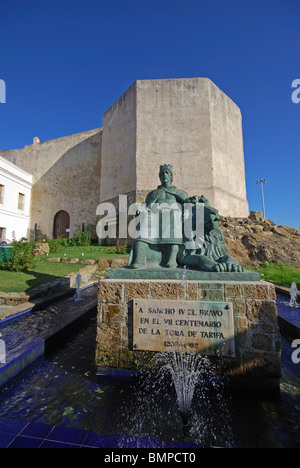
(15, 196)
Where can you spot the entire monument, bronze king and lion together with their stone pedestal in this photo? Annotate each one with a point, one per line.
(199, 300)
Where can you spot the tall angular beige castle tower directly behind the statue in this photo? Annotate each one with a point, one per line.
(189, 123)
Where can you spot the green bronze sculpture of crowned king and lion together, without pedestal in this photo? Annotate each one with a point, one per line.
(171, 246)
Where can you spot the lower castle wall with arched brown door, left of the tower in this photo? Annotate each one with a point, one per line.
(66, 174)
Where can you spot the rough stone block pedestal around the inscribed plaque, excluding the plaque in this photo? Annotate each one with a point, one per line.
(256, 333)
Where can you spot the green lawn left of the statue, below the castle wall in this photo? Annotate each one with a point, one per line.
(44, 271)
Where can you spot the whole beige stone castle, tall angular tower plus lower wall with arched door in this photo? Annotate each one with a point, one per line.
(189, 123)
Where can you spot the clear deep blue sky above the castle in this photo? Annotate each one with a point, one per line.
(65, 62)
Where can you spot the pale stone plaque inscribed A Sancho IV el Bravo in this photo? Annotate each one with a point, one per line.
(190, 326)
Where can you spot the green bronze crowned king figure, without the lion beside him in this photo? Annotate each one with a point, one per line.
(160, 225)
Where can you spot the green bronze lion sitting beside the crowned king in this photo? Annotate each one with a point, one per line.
(208, 253)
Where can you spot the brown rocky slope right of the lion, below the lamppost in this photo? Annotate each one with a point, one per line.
(254, 240)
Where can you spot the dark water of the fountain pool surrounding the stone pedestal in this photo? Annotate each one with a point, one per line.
(142, 408)
